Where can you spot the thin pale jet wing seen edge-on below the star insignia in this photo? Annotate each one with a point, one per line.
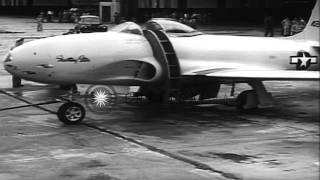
(239, 74)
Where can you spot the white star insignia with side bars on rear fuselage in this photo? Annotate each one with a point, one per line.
(303, 60)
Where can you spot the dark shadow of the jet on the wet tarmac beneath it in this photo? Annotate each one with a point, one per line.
(174, 120)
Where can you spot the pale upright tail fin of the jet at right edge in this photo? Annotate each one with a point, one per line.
(312, 29)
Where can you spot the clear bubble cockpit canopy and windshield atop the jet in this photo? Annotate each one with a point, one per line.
(171, 27)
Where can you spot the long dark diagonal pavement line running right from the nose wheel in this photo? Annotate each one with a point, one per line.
(192, 162)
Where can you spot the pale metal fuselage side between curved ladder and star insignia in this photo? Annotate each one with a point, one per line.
(232, 52)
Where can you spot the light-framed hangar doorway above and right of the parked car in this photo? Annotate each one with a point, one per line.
(107, 10)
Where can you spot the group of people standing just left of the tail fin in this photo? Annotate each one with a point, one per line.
(292, 27)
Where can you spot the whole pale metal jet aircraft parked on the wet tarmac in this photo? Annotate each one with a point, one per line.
(168, 59)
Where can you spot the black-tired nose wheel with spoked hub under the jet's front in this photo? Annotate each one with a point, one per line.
(71, 113)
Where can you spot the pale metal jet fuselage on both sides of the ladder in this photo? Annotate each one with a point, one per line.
(127, 59)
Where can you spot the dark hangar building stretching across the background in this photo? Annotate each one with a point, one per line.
(211, 11)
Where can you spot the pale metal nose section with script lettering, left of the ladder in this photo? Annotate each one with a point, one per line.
(84, 58)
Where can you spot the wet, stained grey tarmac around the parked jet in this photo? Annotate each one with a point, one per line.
(140, 141)
